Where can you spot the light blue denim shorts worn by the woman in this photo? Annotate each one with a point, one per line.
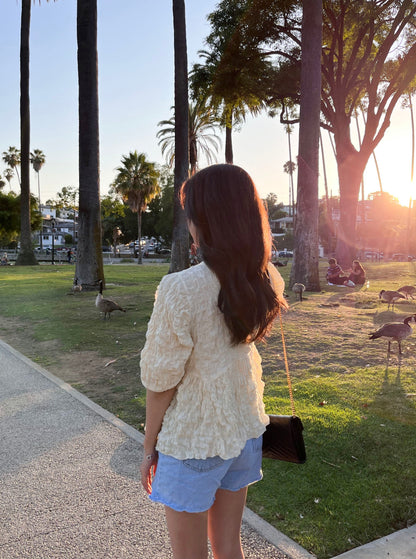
(190, 485)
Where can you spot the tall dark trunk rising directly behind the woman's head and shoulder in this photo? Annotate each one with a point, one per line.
(180, 235)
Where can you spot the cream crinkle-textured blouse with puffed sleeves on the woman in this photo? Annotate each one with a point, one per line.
(218, 404)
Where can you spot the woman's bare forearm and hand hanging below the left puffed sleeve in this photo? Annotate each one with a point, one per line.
(156, 405)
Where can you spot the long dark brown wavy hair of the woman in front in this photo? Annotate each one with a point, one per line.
(235, 242)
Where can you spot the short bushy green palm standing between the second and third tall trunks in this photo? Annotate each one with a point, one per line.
(138, 183)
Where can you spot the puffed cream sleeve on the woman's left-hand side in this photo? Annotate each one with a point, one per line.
(168, 340)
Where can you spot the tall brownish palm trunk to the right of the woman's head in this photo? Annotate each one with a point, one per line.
(306, 254)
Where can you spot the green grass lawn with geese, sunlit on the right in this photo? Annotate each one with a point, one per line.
(357, 406)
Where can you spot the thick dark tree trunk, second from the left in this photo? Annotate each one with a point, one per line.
(89, 268)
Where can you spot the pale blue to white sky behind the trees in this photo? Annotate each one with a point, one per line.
(136, 91)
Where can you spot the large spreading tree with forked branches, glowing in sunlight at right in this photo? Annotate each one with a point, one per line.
(368, 62)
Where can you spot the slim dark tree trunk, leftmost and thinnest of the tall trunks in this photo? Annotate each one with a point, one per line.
(26, 255)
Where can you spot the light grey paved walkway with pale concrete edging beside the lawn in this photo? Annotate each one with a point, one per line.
(69, 482)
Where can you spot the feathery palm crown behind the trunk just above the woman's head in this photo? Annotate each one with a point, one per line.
(201, 135)
